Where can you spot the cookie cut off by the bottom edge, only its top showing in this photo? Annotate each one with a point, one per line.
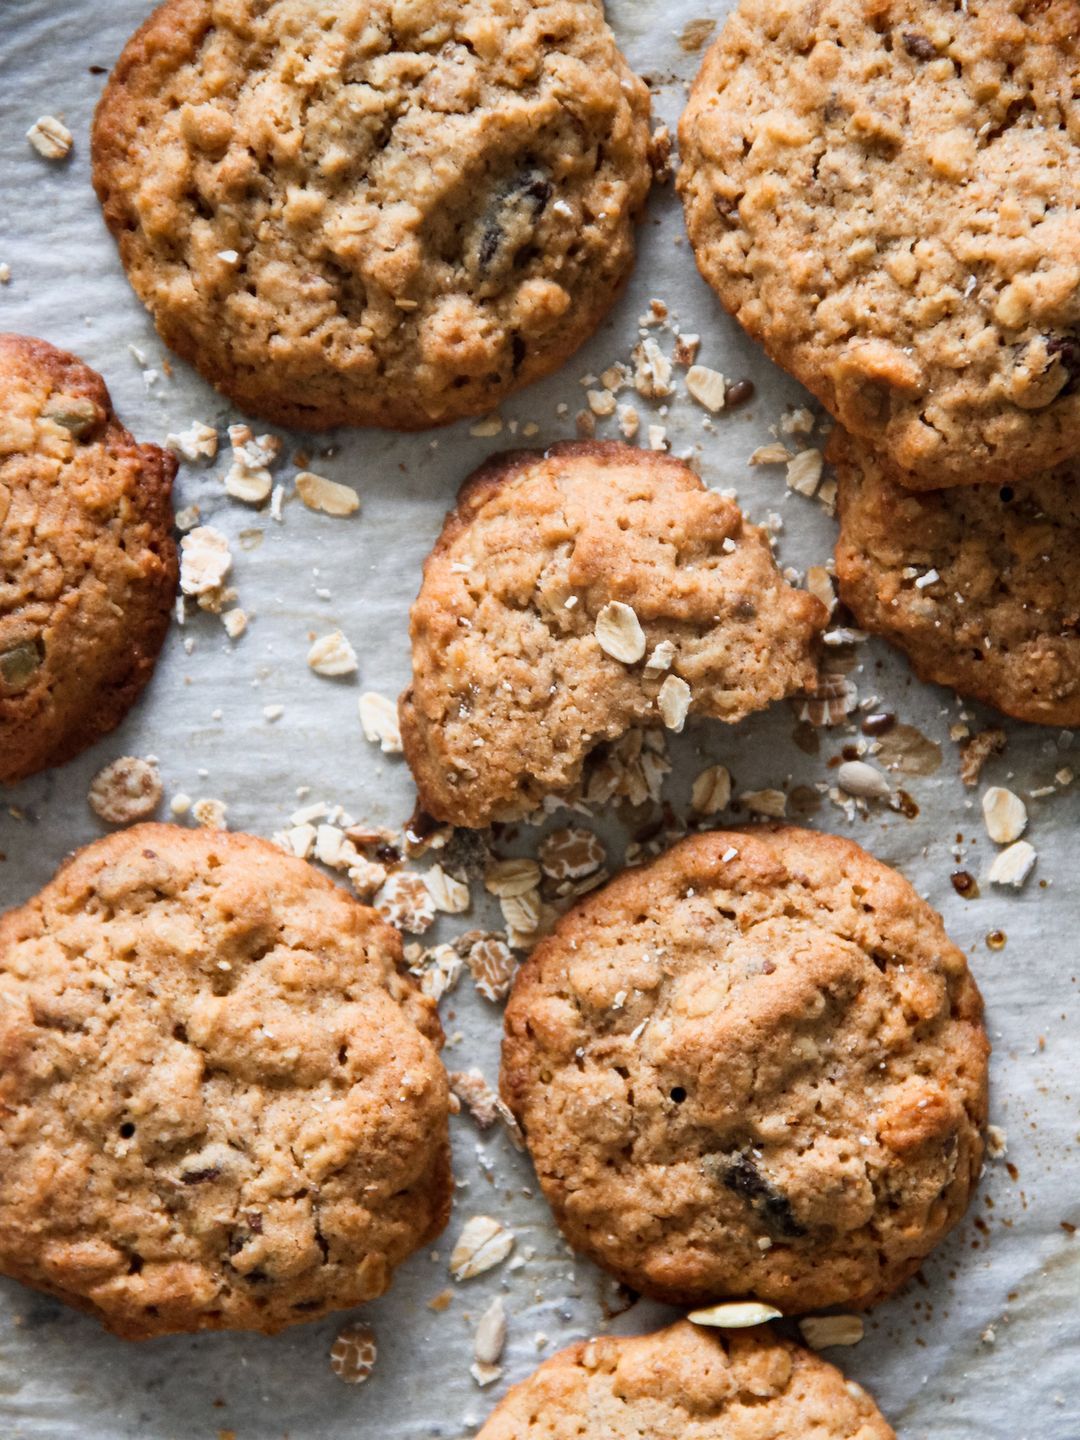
(685, 1383)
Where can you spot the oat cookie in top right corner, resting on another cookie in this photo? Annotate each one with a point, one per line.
(888, 197)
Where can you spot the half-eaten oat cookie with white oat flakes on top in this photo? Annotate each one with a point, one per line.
(578, 594)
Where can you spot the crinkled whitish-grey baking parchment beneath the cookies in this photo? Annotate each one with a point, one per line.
(987, 1343)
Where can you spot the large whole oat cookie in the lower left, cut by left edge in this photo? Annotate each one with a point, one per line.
(221, 1102)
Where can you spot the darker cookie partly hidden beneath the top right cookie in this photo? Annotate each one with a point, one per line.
(980, 587)
